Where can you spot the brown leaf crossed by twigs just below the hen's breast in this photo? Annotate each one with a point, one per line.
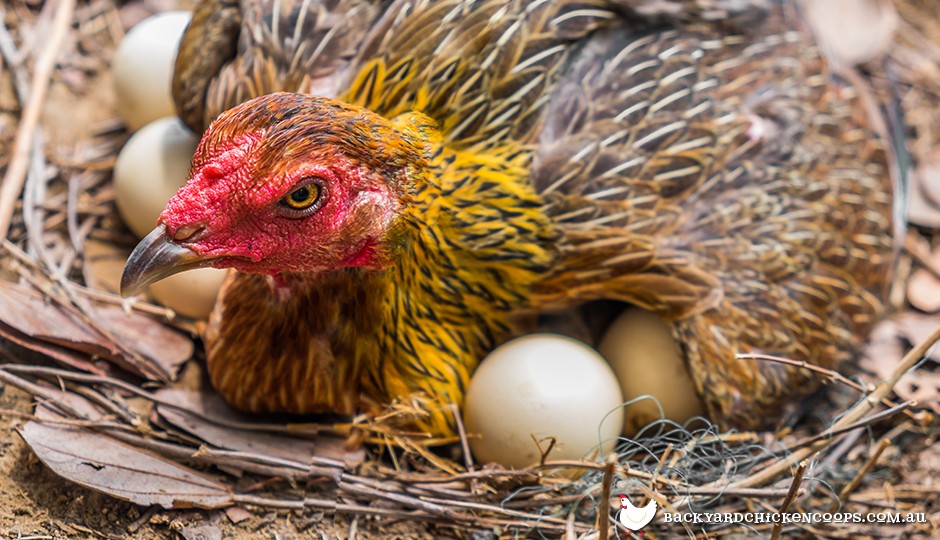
(209, 404)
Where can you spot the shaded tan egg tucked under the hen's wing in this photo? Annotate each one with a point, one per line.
(643, 353)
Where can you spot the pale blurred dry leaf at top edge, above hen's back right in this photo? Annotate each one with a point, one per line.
(852, 31)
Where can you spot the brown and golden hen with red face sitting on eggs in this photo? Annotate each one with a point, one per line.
(485, 160)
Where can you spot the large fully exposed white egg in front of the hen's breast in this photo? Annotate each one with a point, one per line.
(542, 386)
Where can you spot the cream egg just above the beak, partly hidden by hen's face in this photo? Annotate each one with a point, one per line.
(150, 169)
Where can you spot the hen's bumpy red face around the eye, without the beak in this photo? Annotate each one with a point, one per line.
(234, 200)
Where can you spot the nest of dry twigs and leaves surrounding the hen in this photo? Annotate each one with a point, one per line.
(121, 405)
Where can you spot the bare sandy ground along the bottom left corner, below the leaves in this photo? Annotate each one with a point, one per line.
(36, 504)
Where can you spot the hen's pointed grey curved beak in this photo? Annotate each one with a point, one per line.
(157, 256)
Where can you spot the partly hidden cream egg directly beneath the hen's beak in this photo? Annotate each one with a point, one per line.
(191, 293)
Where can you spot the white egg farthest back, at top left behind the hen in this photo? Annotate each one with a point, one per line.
(142, 68)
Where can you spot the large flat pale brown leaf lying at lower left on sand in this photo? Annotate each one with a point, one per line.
(103, 464)
